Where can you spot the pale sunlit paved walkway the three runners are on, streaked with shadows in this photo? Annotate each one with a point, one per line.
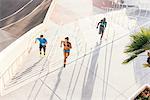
(94, 69)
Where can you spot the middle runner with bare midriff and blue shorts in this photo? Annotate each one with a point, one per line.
(67, 47)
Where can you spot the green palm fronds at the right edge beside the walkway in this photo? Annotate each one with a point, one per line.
(140, 42)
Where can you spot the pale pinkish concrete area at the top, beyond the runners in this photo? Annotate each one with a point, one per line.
(65, 11)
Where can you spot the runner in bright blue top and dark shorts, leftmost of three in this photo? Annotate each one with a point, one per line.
(42, 43)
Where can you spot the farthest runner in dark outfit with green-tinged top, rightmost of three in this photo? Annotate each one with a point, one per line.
(102, 25)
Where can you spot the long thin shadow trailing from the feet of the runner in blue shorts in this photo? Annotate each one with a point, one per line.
(57, 83)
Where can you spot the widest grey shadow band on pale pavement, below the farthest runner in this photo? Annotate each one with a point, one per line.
(87, 89)
